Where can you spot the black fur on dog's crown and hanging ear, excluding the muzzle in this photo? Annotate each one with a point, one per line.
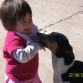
(65, 50)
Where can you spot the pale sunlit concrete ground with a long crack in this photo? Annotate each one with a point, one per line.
(65, 16)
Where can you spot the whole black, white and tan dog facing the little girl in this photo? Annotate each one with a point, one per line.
(66, 68)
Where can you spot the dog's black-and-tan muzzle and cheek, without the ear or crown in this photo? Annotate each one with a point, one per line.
(47, 41)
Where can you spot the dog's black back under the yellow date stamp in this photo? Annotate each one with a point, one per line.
(75, 73)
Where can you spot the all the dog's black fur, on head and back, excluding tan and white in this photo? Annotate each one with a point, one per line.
(64, 50)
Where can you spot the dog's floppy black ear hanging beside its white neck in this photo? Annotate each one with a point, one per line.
(68, 55)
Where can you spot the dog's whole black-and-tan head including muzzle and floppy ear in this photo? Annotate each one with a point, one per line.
(58, 44)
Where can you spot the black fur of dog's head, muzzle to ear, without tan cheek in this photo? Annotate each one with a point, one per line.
(64, 50)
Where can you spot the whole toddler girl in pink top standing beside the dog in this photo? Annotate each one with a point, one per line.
(20, 49)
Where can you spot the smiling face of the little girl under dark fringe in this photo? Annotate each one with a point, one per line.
(24, 25)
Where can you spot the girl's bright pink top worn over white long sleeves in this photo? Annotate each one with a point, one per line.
(15, 69)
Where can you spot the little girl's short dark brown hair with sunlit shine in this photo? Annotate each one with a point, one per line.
(13, 10)
